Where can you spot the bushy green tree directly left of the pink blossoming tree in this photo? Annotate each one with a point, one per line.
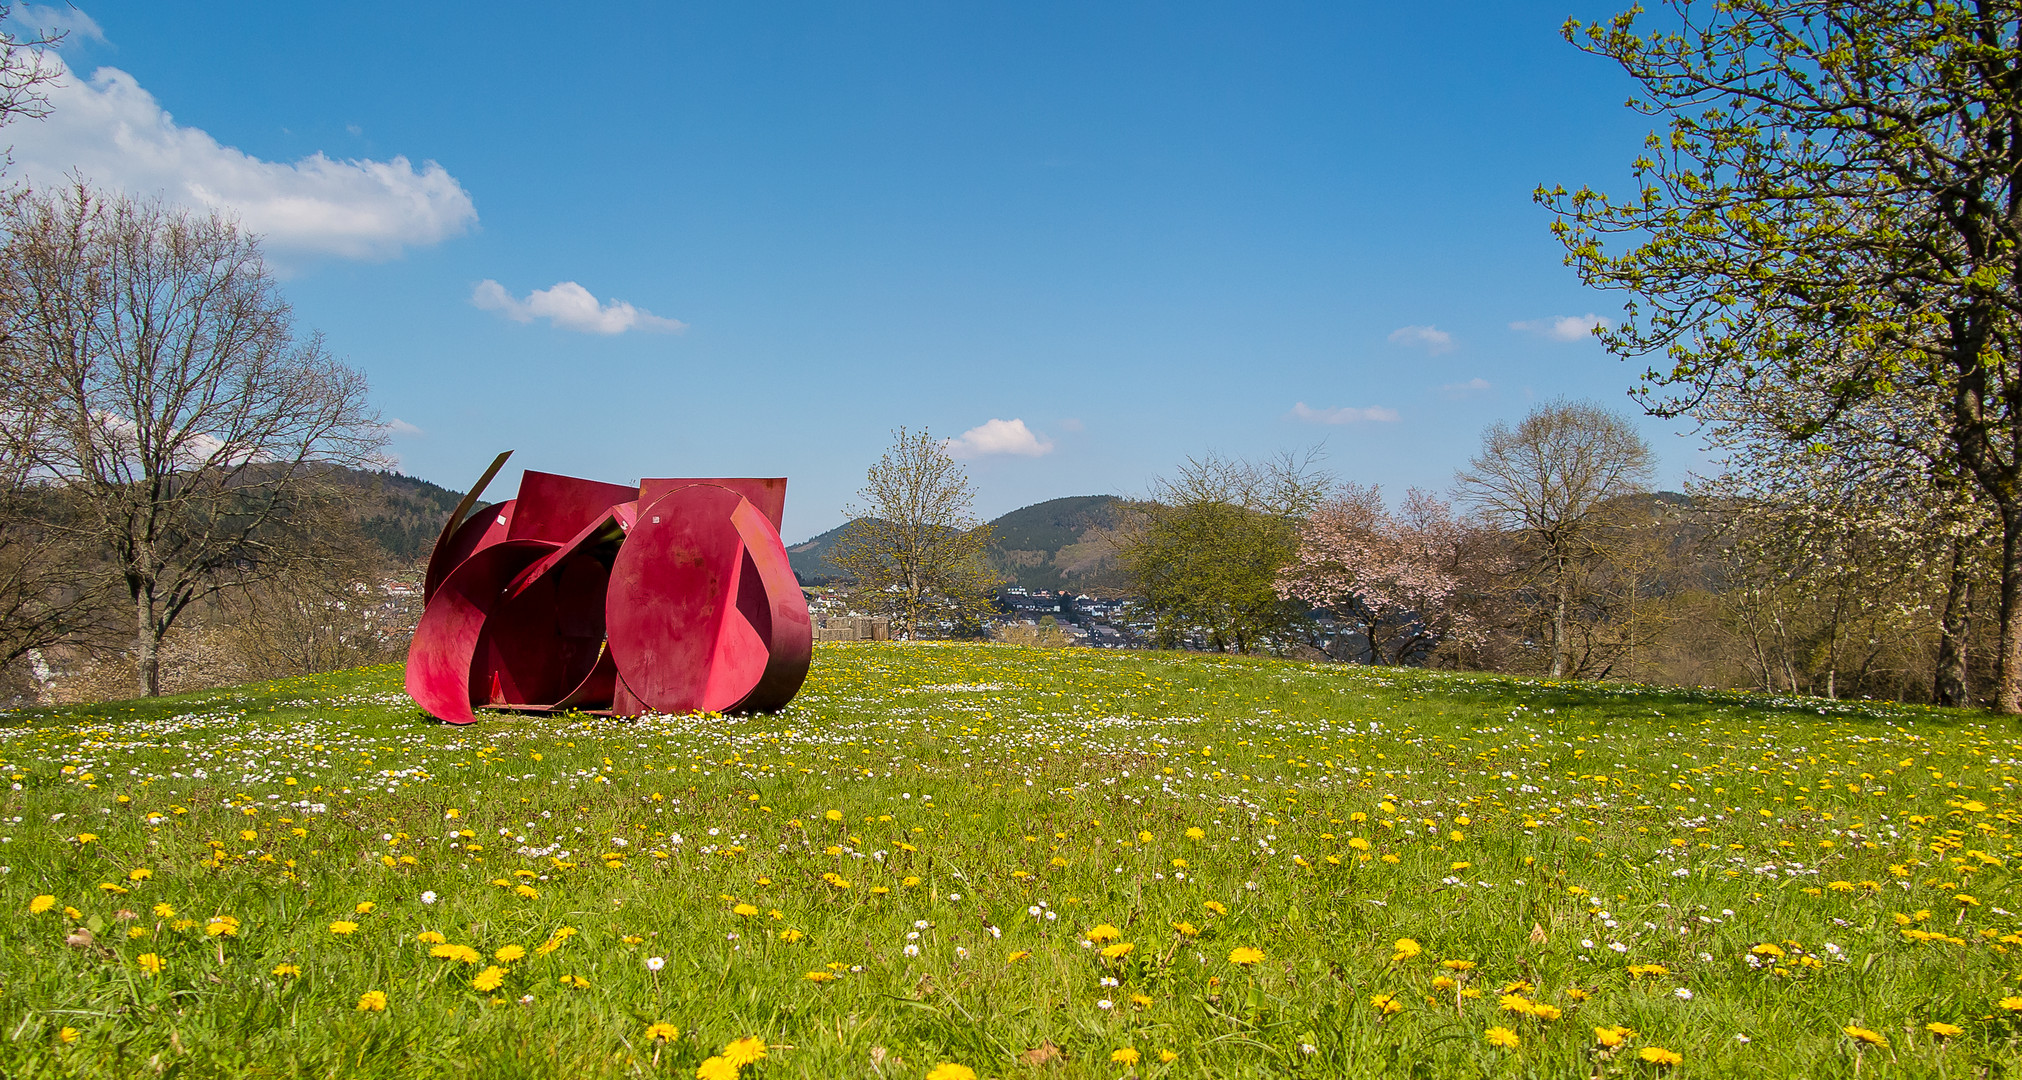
(1208, 547)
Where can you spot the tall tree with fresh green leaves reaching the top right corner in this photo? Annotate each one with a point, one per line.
(1837, 203)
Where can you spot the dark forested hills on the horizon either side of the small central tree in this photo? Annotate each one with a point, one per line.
(1052, 545)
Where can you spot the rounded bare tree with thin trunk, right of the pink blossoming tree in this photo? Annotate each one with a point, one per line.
(1552, 480)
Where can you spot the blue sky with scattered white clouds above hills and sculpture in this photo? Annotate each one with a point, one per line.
(1085, 242)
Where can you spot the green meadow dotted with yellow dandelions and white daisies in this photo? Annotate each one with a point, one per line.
(907, 869)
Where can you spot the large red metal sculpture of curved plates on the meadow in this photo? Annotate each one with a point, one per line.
(577, 596)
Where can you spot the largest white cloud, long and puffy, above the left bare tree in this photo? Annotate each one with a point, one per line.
(114, 134)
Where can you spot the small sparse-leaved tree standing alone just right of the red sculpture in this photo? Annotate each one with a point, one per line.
(915, 549)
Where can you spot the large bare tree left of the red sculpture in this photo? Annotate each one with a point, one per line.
(165, 393)
